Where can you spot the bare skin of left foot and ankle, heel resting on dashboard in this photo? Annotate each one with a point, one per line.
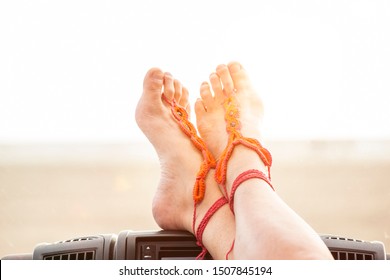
(180, 161)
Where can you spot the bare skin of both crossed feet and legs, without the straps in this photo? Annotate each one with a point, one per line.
(263, 226)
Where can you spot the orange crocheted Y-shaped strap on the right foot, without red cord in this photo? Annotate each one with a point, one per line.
(233, 127)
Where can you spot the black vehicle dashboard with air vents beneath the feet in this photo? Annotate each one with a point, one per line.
(168, 245)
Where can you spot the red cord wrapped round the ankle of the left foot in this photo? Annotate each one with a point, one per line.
(202, 225)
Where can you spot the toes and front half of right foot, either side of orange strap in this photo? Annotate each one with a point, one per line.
(228, 80)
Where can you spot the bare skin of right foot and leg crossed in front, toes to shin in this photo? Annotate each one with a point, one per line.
(266, 228)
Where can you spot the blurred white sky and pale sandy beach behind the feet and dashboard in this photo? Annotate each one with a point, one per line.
(73, 161)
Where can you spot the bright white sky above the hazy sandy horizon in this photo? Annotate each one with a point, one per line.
(72, 70)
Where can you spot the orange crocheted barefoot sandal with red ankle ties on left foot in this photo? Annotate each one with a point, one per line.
(181, 117)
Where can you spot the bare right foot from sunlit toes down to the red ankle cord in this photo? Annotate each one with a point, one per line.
(230, 80)
